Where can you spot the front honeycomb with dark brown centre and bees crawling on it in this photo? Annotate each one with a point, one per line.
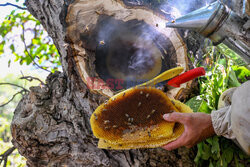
(134, 116)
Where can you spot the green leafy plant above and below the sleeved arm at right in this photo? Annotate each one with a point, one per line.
(223, 72)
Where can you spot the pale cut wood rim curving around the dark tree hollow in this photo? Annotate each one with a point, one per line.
(90, 11)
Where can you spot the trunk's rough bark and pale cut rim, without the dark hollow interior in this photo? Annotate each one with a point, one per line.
(51, 124)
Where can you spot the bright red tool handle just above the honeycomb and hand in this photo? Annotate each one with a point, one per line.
(187, 76)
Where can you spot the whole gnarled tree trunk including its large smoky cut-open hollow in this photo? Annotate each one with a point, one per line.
(51, 124)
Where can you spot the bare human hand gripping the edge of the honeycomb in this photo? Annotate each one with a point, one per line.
(198, 127)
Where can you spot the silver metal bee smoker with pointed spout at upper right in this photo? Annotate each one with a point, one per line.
(221, 24)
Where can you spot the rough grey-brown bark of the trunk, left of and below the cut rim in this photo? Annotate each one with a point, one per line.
(51, 124)
